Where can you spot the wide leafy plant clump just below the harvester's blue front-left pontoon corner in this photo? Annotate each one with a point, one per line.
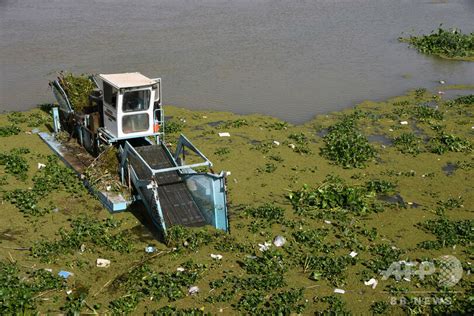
(84, 231)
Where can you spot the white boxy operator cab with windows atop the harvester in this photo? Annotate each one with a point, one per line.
(129, 104)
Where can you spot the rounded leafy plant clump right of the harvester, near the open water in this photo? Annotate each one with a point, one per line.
(345, 145)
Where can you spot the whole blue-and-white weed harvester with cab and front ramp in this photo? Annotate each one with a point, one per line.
(124, 112)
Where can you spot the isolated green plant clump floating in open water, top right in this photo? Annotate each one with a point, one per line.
(446, 43)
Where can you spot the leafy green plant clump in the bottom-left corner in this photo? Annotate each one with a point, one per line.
(18, 294)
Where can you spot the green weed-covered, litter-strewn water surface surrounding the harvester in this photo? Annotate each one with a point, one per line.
(412, 201)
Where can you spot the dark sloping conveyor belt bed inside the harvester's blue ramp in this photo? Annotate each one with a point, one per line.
(177, 204)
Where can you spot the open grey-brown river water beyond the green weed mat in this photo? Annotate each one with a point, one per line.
(291, 59)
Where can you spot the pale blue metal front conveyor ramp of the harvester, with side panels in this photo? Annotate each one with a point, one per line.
(173, 193)
